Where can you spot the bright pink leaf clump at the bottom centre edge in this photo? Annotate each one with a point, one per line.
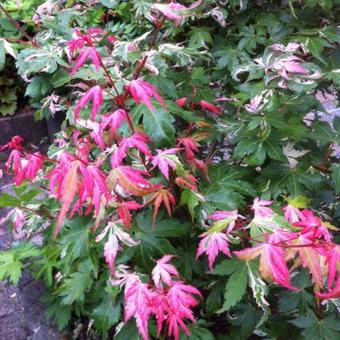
(169, 300)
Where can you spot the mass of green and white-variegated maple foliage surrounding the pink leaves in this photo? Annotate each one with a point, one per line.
(274, 136)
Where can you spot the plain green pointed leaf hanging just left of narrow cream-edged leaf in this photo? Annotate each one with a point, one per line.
(235, 287)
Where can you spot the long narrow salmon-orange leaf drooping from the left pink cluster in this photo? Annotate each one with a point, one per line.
(68, 191)
